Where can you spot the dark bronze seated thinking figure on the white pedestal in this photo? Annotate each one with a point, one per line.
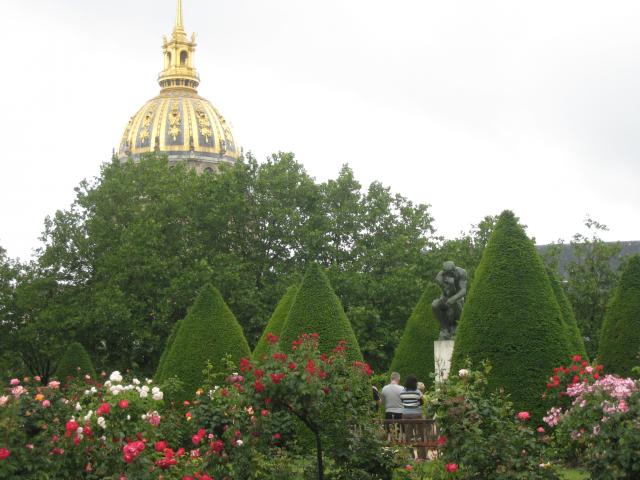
(448, 308)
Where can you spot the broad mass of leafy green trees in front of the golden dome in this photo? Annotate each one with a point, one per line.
(121, 265)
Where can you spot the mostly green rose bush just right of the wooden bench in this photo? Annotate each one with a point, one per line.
(482, 434)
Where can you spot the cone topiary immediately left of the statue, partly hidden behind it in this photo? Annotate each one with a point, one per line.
(414, 354)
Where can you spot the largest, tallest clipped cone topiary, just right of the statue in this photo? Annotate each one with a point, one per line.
(512, 319)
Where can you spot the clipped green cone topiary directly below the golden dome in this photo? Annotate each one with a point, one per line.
(208, 333)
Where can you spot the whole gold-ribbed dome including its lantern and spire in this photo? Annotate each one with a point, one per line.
(179, 122)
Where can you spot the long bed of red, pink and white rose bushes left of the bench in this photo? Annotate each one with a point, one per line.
(245, 426)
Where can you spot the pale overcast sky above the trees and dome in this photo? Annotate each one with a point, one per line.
(470, 106)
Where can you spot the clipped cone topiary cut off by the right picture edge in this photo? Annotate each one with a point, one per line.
(620, 335)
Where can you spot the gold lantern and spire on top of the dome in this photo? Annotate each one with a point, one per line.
(179, 70)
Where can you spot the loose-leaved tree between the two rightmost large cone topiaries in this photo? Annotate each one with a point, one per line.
(591, 279)
